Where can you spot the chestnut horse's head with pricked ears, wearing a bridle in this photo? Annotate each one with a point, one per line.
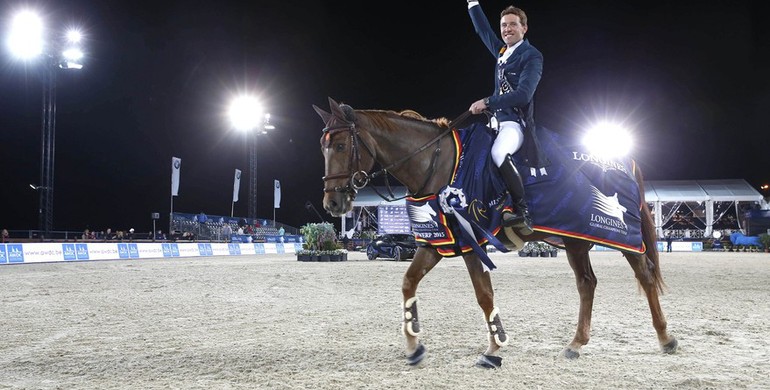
(345, 168)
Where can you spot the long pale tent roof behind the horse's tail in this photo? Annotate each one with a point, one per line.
(729, 190)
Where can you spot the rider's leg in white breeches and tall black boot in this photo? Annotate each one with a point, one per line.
(508, 141)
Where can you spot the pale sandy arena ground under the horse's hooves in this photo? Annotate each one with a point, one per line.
(270, 322)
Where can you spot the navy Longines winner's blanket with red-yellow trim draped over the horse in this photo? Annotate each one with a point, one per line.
(579, 195)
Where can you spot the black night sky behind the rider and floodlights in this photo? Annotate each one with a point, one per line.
(690, 77)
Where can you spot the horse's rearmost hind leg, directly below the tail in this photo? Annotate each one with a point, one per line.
(648, 275)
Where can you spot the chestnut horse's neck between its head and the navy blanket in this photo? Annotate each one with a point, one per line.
(393, 137)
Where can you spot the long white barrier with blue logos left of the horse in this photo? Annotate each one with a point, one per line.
(53, 252)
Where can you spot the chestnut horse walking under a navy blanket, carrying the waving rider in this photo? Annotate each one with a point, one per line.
(418, 153)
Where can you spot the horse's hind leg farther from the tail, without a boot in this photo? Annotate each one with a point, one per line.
(577, 255)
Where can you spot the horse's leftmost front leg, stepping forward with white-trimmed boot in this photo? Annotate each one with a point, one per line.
(424, 260)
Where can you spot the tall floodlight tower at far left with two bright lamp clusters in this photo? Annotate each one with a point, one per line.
(27, 41)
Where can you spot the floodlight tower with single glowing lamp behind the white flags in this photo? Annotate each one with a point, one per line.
(246, 114)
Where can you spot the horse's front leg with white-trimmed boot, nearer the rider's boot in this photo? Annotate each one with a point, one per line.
(485, 297)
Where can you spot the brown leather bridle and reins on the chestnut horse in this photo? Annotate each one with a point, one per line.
(359, 178)
